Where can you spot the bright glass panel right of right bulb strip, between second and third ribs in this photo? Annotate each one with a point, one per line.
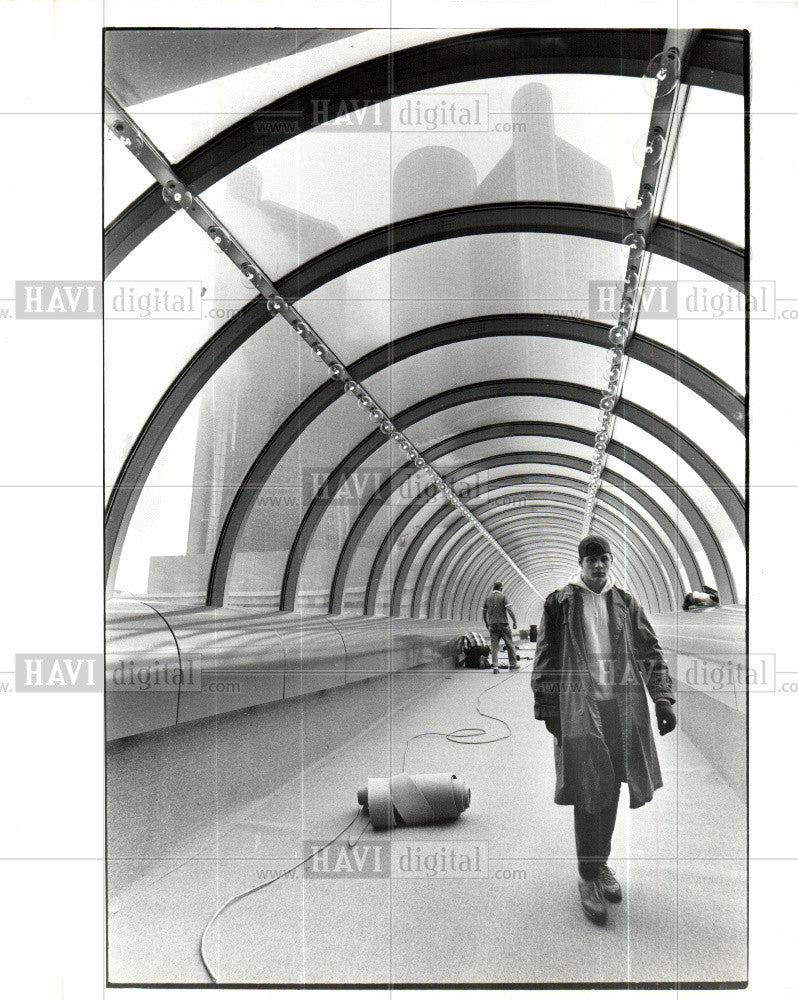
(701, 318)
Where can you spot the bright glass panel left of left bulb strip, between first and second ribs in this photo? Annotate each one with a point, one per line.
(163, 302)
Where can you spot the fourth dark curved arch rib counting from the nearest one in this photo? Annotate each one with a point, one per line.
(658, 428)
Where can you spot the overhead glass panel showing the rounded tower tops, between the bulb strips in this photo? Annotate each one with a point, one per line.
(546, 138)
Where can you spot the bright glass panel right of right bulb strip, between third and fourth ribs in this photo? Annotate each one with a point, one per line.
(694, 417)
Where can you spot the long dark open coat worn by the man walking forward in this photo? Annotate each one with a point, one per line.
(563, 689)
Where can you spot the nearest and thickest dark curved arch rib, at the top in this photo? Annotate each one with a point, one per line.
(716, 60)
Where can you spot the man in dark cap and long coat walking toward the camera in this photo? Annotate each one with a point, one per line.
(596, 656)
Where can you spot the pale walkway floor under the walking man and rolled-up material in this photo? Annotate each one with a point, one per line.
(489, 899)
